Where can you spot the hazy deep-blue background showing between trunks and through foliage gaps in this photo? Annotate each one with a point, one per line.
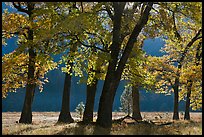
(50, 98)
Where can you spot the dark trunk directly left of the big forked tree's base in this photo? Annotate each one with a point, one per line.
(90, 98)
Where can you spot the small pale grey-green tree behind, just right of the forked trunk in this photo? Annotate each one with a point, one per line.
(126, 100)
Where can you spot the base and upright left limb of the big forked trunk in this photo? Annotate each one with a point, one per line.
(106, 100)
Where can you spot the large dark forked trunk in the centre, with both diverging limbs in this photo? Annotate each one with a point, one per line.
(114, 72)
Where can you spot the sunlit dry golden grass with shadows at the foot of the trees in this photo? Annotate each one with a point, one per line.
(47, 126)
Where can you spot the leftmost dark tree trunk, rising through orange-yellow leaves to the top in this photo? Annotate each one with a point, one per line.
(26, 115)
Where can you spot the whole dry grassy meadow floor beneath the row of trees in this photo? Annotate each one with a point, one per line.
(154, 123)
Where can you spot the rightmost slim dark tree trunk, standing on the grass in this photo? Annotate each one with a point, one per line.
(187, 114)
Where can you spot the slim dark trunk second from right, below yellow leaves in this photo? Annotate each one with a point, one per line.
(176, 101)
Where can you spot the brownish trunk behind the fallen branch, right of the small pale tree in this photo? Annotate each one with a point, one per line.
(136, 103)
